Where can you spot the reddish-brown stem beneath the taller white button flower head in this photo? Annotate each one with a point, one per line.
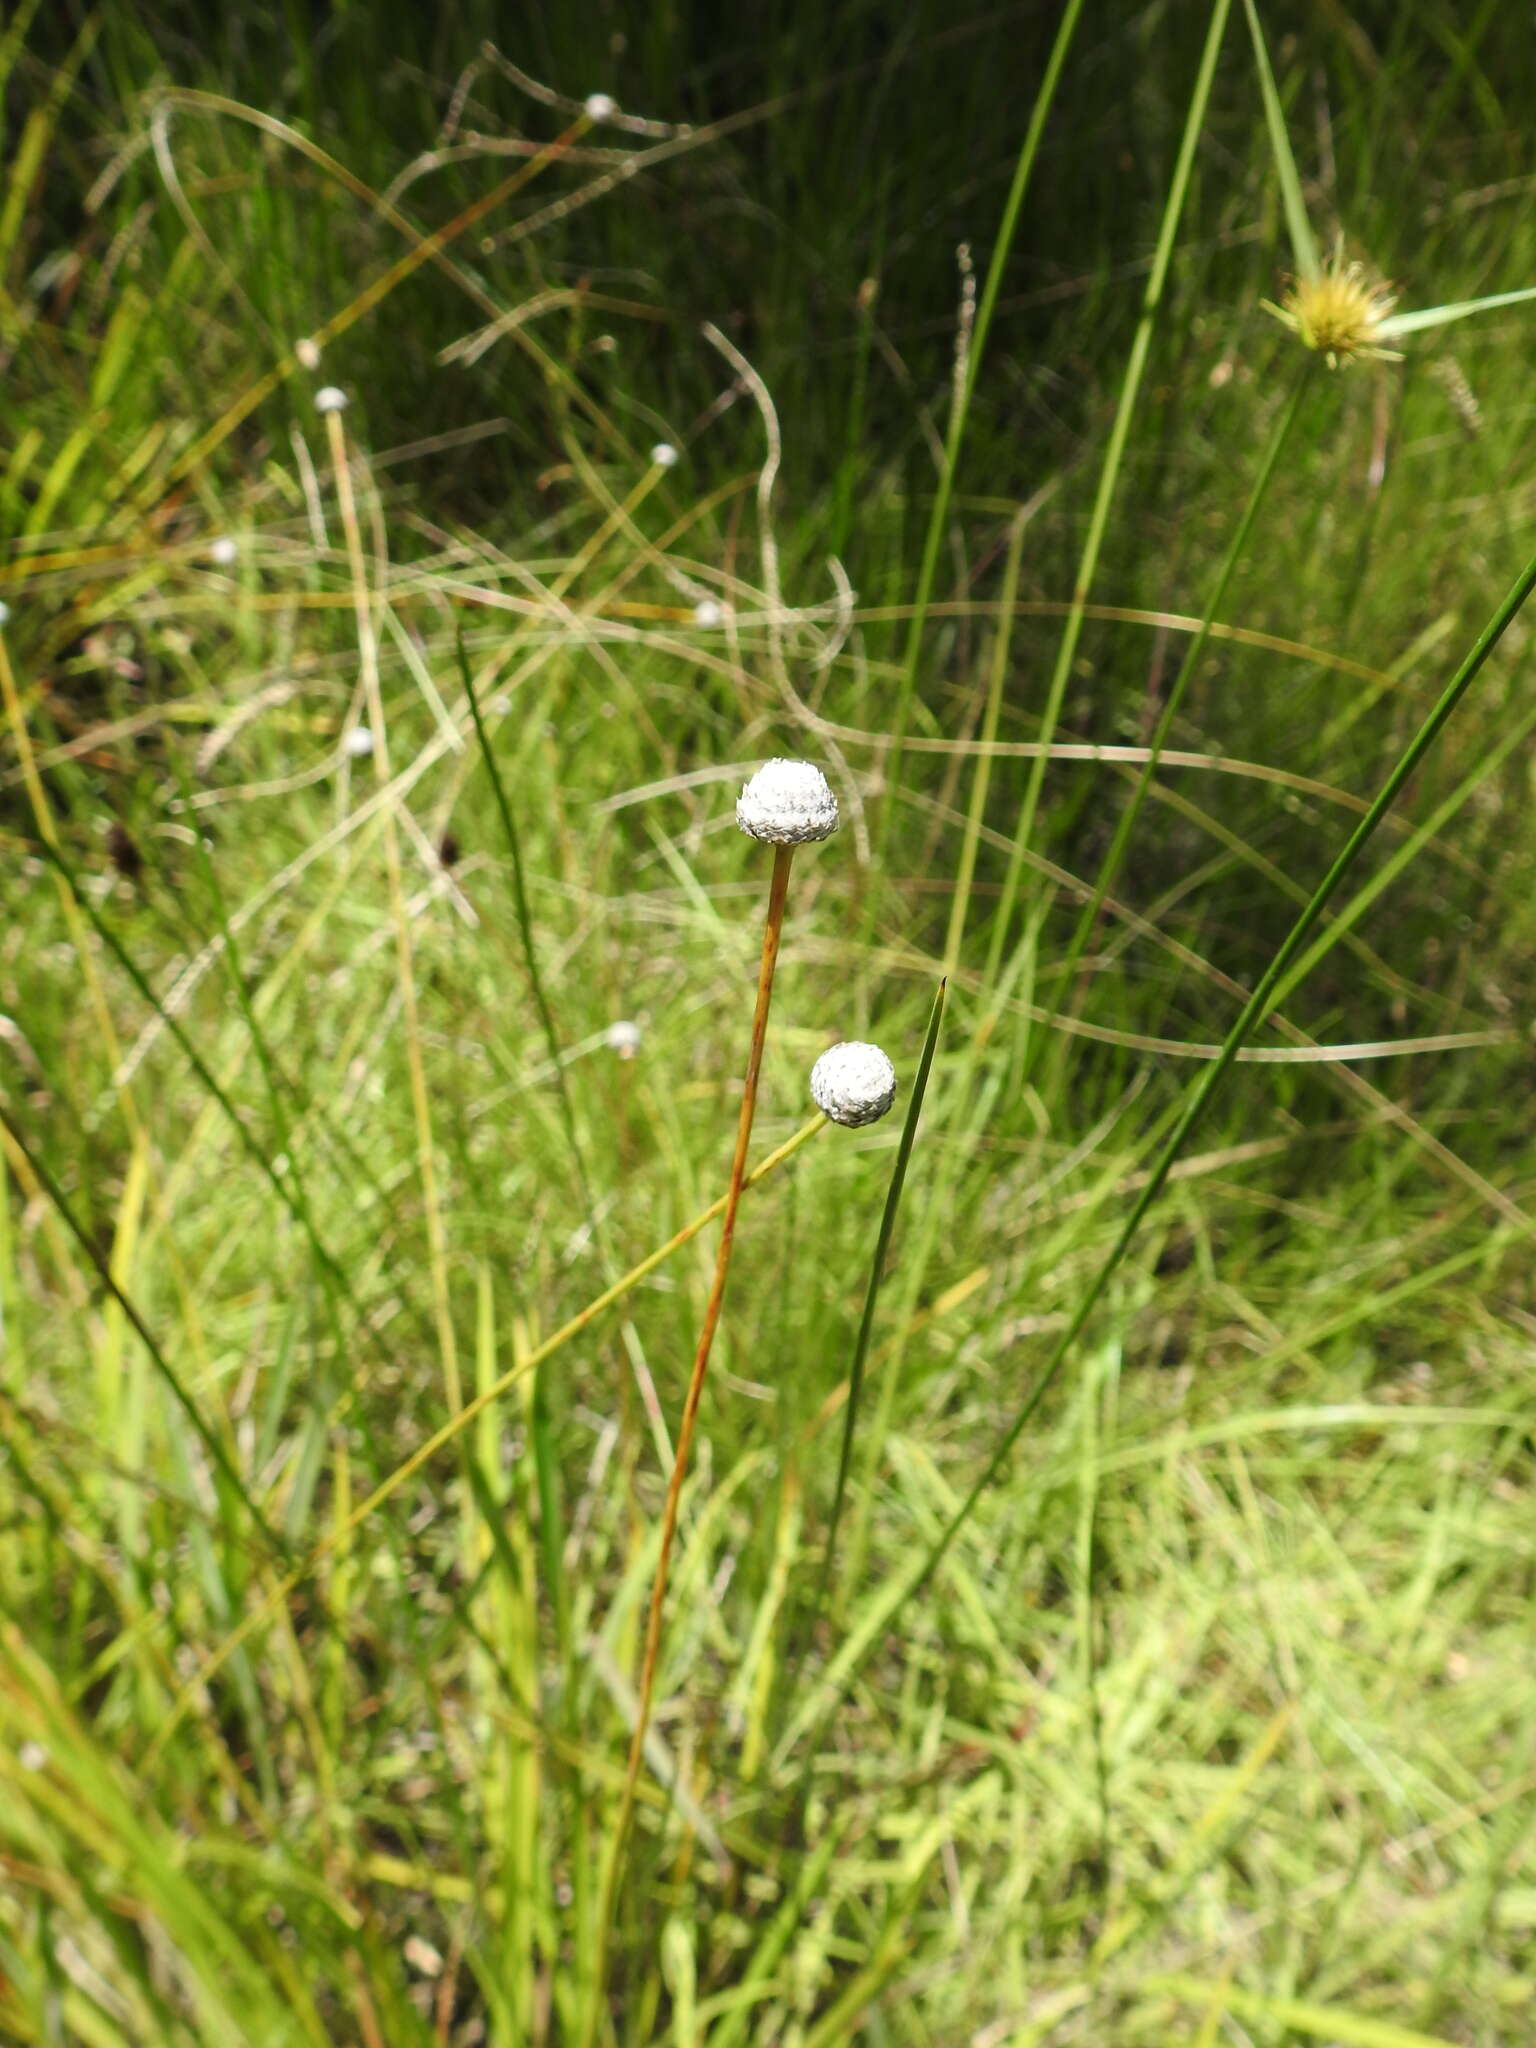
(771, 935)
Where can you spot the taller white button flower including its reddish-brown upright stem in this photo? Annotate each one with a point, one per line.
(785, 804)
